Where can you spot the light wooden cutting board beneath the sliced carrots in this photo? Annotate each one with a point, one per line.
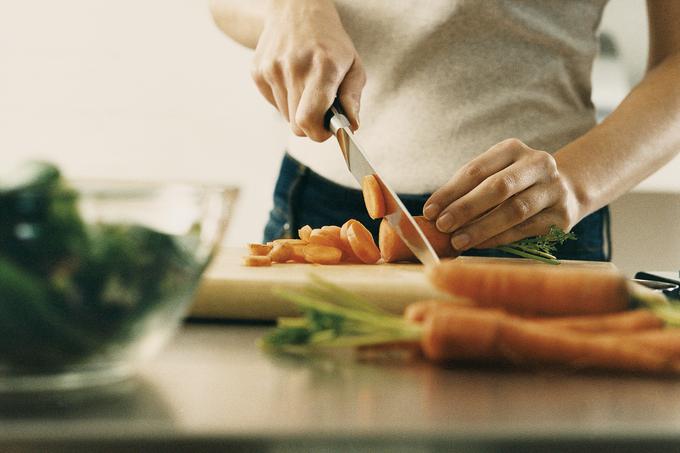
(230, 290)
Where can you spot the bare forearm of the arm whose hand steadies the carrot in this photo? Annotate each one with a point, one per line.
(637, 139)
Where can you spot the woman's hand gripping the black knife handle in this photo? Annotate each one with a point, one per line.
(303, 60)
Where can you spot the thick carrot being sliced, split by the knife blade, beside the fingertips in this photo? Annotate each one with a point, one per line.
(392, 248)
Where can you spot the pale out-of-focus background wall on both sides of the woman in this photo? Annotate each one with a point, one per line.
(150, 89)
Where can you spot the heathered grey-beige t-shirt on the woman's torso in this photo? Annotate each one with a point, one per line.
(447, 79)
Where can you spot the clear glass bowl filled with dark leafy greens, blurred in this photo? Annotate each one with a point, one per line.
(96, 276)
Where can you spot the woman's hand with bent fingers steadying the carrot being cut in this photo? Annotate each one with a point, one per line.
(506, 194)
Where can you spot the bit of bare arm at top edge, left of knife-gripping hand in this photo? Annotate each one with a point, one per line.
(241, 20)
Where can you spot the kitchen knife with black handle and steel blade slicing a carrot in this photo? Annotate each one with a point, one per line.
(395, 211)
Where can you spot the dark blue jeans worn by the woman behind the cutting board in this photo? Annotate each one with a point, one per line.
(302, 197)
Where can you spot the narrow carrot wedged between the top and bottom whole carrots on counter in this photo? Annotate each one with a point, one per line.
(626, 321)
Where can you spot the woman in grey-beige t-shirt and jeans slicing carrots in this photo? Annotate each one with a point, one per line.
(442, 86)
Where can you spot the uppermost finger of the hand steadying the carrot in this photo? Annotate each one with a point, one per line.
(471, 175)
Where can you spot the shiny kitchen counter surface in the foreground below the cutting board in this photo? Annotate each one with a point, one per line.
(211, 389)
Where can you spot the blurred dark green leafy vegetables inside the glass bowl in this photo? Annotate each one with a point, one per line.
(71, 291)
